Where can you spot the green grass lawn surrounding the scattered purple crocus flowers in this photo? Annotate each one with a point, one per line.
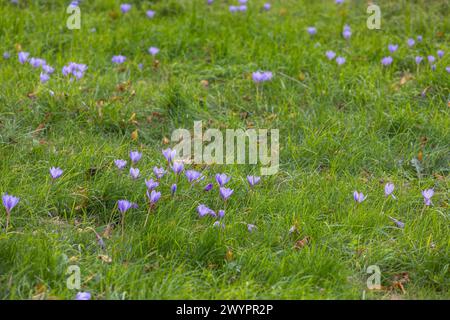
(344, 128)
